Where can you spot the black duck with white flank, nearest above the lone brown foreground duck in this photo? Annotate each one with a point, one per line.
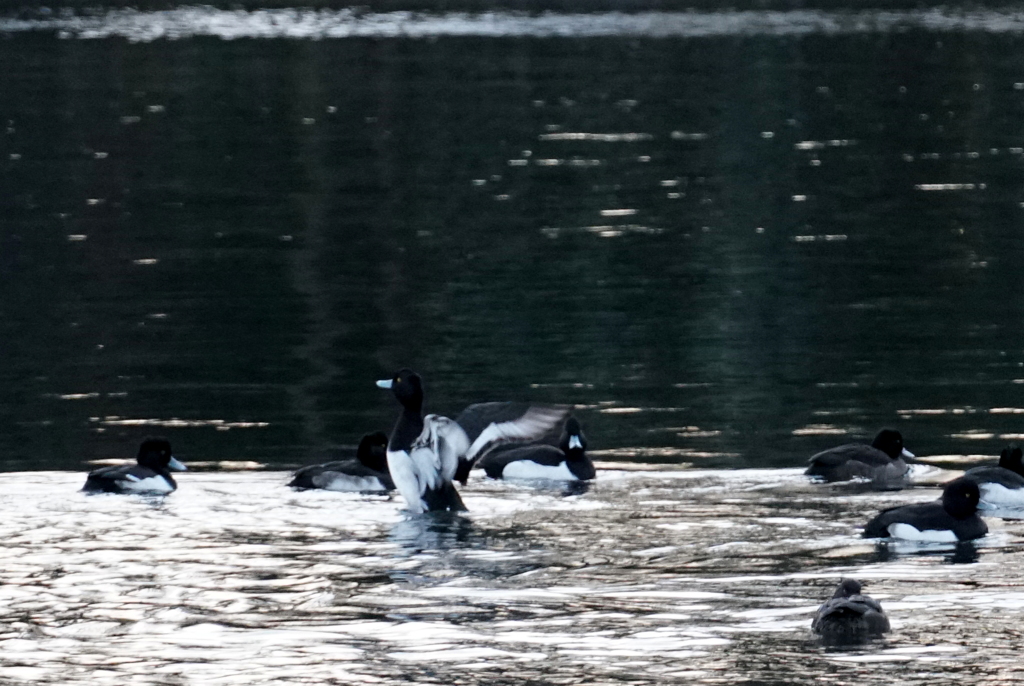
(953, 519)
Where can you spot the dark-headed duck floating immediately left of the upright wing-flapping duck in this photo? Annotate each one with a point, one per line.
(366, 474)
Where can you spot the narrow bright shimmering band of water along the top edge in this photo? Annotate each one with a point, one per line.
(327, 24)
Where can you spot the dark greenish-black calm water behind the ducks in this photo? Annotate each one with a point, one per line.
(252, 232)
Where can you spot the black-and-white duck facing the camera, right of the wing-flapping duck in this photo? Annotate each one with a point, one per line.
(568, 462)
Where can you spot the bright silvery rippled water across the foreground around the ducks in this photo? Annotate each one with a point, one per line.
(651, 576)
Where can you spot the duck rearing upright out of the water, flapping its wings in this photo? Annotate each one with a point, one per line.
(425, 453)
